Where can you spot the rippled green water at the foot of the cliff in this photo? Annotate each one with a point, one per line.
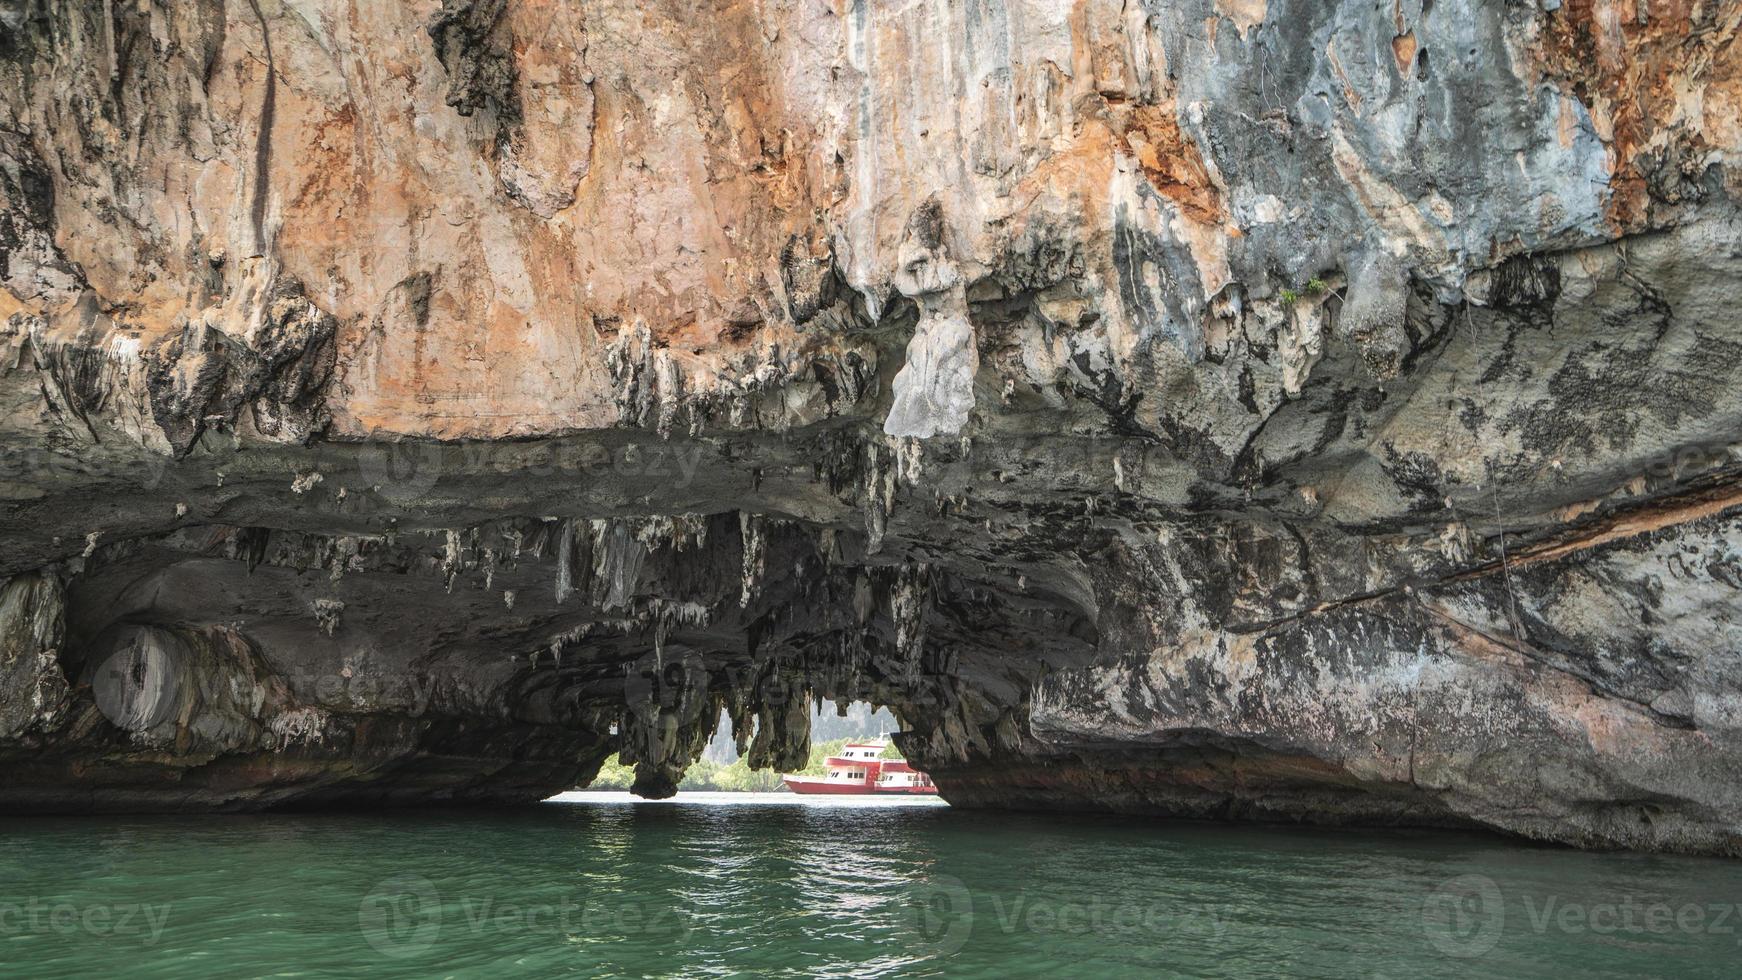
(837, 889)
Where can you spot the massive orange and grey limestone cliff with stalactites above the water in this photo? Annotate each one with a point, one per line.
(1295, 410)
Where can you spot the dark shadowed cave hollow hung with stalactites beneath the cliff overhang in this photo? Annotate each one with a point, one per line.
(510, 659)
